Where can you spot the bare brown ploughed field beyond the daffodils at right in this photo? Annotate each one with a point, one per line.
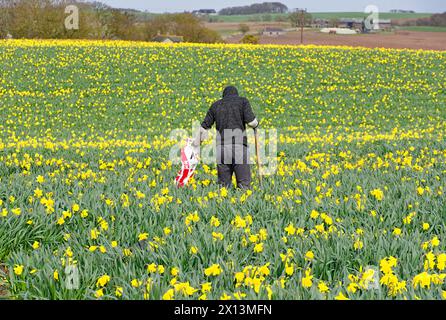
(398, 40)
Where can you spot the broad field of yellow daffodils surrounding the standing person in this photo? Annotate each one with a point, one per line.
(356, 208)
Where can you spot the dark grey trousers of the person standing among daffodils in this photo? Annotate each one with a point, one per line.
(230, 160)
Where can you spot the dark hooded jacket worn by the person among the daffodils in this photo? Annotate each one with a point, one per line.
(230, 112)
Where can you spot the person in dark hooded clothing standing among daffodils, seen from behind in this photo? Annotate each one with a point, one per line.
(231, 115)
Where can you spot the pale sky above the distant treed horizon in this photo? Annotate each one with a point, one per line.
(160, 6)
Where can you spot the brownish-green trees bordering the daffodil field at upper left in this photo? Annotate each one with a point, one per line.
(45, 19)
